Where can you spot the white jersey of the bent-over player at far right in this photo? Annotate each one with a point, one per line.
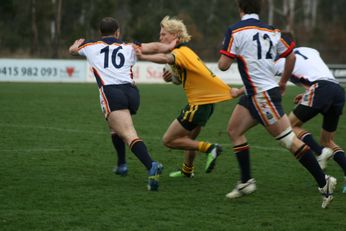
(309, 67)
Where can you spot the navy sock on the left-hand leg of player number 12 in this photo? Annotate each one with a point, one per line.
(242, 152)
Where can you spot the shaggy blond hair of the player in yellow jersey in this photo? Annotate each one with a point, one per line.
(176, 26)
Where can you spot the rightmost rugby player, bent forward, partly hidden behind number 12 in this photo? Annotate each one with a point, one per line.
(323, 95)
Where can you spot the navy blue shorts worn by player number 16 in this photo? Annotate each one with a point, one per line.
(119, 97)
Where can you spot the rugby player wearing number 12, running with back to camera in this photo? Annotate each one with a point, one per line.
(255, 45)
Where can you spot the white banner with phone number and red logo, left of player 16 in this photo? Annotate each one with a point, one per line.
(43, 70)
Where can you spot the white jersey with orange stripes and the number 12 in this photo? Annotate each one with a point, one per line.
(255, 45)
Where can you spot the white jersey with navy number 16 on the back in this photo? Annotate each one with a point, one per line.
(111, 60)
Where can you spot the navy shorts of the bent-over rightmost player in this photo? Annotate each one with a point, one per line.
(326, 98)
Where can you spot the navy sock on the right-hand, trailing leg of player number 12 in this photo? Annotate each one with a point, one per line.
(308, 160)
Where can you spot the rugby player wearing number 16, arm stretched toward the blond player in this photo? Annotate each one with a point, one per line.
(111, 61)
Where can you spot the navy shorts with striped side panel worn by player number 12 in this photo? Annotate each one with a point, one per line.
(265, 107)
